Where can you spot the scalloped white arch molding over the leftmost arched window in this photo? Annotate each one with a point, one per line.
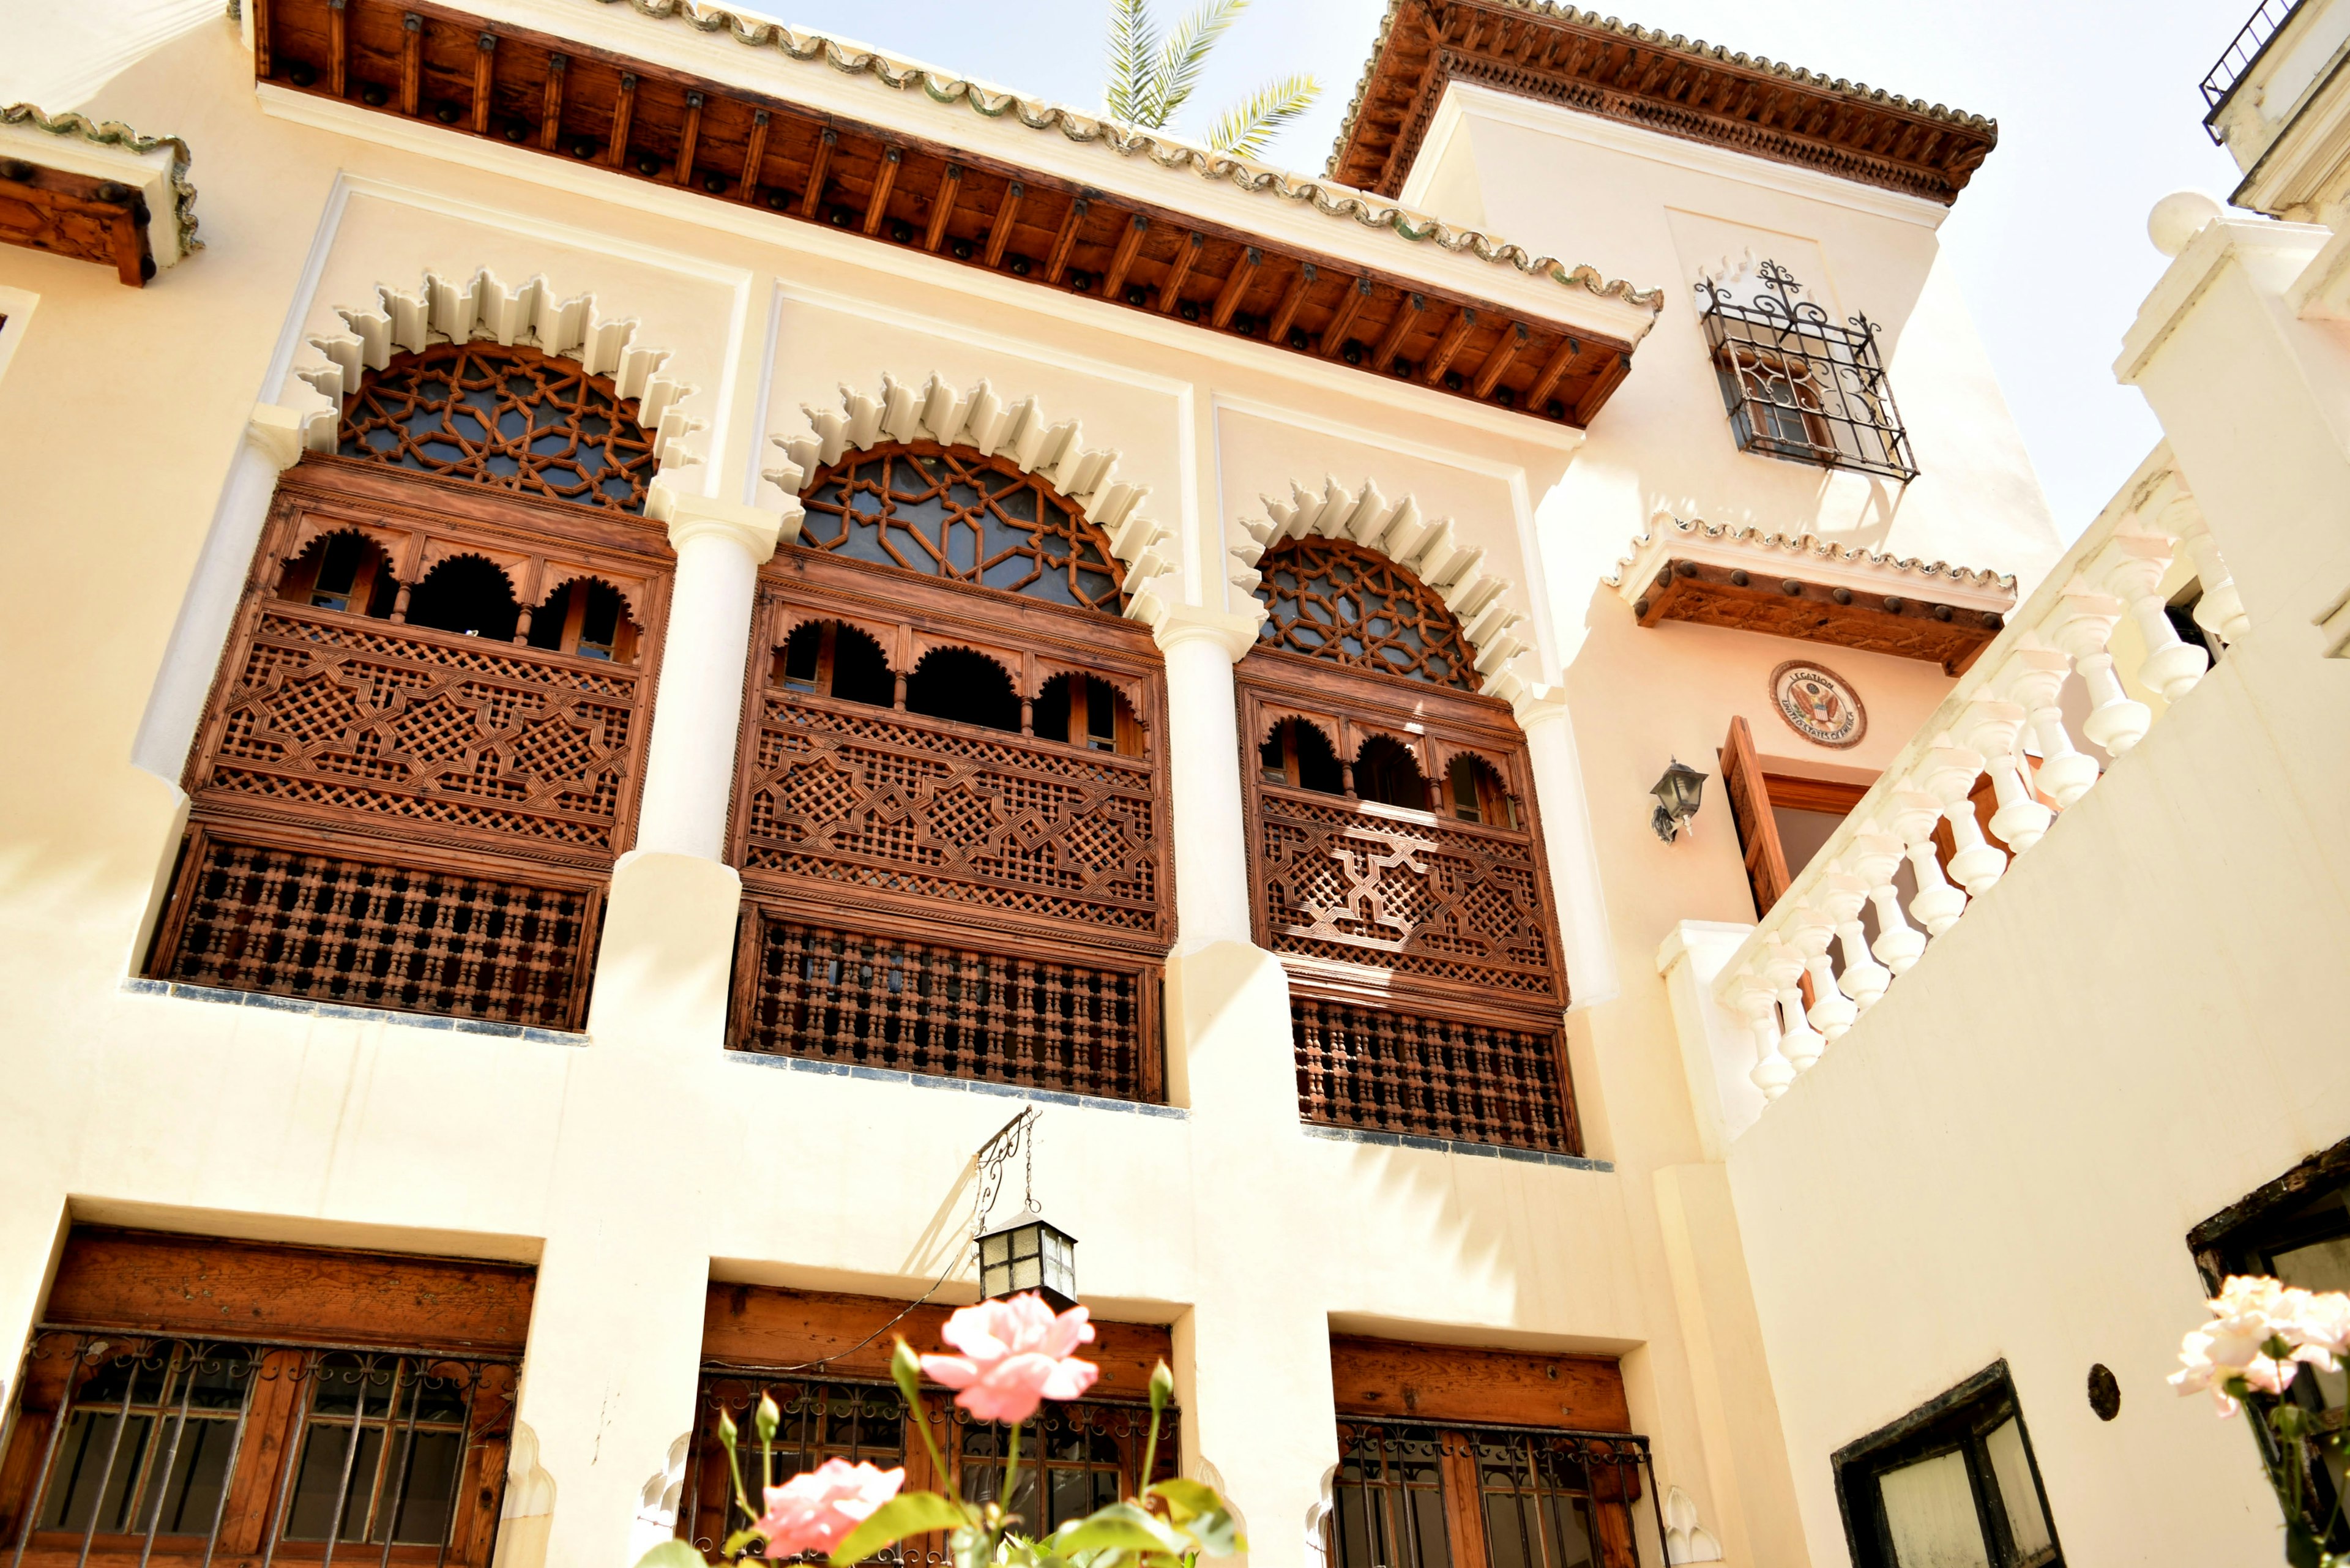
(483, 307)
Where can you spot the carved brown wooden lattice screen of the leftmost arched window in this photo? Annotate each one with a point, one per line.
(424, 746)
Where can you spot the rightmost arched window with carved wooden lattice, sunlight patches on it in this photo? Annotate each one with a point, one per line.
(1397, 864)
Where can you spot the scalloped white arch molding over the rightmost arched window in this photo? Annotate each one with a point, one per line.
(1428, 549)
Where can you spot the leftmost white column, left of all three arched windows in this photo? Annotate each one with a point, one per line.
(269, 445)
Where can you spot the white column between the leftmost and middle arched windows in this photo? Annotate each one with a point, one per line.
(699, 704)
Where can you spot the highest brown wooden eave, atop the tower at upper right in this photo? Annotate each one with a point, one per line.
(1580, 62)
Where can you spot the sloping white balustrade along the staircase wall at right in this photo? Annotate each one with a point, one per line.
(2003, 721)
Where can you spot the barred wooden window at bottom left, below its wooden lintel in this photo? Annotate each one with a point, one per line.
(203, 1452)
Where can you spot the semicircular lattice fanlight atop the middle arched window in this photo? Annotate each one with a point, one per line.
(967, 518)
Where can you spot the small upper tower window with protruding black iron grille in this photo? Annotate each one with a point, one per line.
(1799, 384)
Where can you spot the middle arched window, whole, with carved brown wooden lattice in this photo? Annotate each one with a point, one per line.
(951, 808)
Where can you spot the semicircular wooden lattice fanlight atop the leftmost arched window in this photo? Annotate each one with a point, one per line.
(509, 417)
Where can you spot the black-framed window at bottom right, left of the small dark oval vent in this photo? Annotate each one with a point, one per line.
(1949, 1487)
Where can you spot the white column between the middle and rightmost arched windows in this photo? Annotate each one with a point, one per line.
(1204, 772)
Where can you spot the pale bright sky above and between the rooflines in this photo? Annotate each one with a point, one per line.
(2097, 105)
